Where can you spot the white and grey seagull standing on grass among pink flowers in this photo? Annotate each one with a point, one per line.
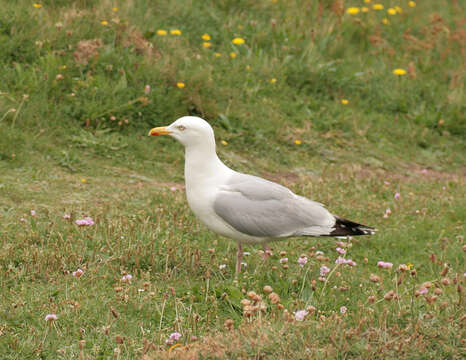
(246, 208)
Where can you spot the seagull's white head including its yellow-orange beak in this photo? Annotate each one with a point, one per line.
(188, 130)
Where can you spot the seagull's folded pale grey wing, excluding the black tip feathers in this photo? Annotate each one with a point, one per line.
(258, 207)
